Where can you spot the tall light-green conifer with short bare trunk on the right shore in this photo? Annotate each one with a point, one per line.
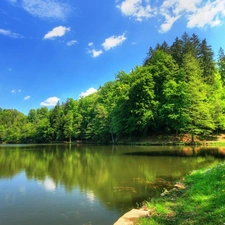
(198, 116)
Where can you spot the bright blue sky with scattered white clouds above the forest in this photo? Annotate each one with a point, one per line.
(51, 50)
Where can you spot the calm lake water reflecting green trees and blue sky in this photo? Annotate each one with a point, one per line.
(81, 185)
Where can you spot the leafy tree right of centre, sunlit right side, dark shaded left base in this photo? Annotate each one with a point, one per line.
(141, 101)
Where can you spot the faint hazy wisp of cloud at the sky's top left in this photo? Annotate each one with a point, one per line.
(46, 9)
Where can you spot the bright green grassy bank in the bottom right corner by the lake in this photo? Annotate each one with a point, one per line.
(199, 199)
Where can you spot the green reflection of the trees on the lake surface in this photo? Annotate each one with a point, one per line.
(106, 173)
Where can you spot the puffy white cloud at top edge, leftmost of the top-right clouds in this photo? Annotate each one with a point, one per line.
(138, 9)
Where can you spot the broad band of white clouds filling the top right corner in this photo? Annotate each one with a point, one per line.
(197, 13)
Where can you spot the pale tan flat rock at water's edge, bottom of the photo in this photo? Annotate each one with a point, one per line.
(130, 217)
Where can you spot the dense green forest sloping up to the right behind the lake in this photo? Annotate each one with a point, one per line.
(178, 89)
